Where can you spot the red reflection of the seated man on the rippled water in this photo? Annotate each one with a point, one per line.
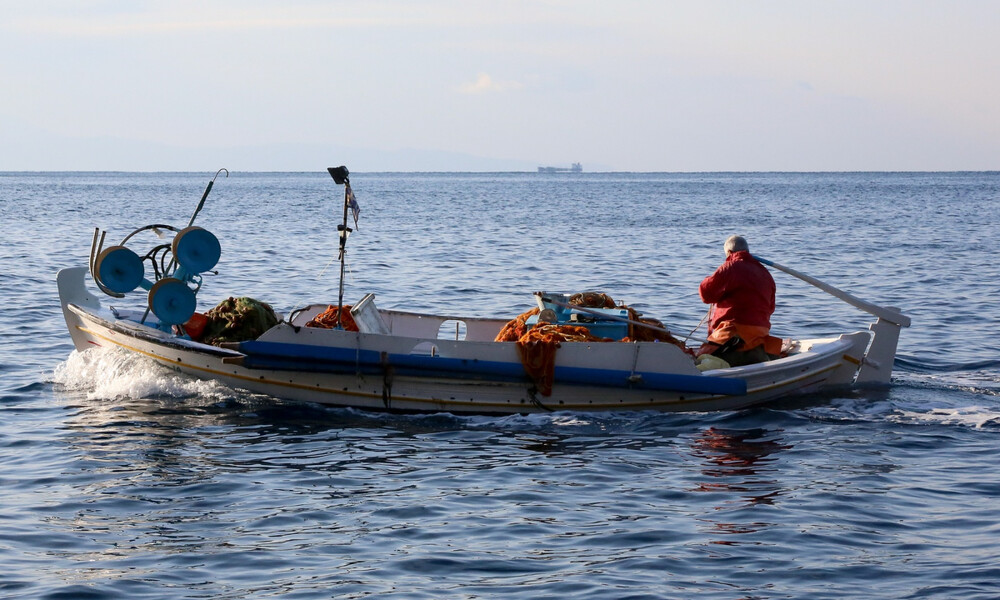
(740, 464)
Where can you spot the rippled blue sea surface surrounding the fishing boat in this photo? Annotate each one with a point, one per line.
(119, 479)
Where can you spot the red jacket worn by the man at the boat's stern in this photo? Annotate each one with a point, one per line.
(742, 290)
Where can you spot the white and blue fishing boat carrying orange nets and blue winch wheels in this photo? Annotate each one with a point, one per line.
(392, 360)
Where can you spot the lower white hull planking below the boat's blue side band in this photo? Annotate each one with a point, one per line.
(391, 391)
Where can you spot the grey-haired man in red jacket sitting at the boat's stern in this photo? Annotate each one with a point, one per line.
(741, 291)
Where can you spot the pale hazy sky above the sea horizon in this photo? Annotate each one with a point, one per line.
(498, 85)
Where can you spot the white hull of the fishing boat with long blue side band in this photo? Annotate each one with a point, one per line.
(412, 370)
